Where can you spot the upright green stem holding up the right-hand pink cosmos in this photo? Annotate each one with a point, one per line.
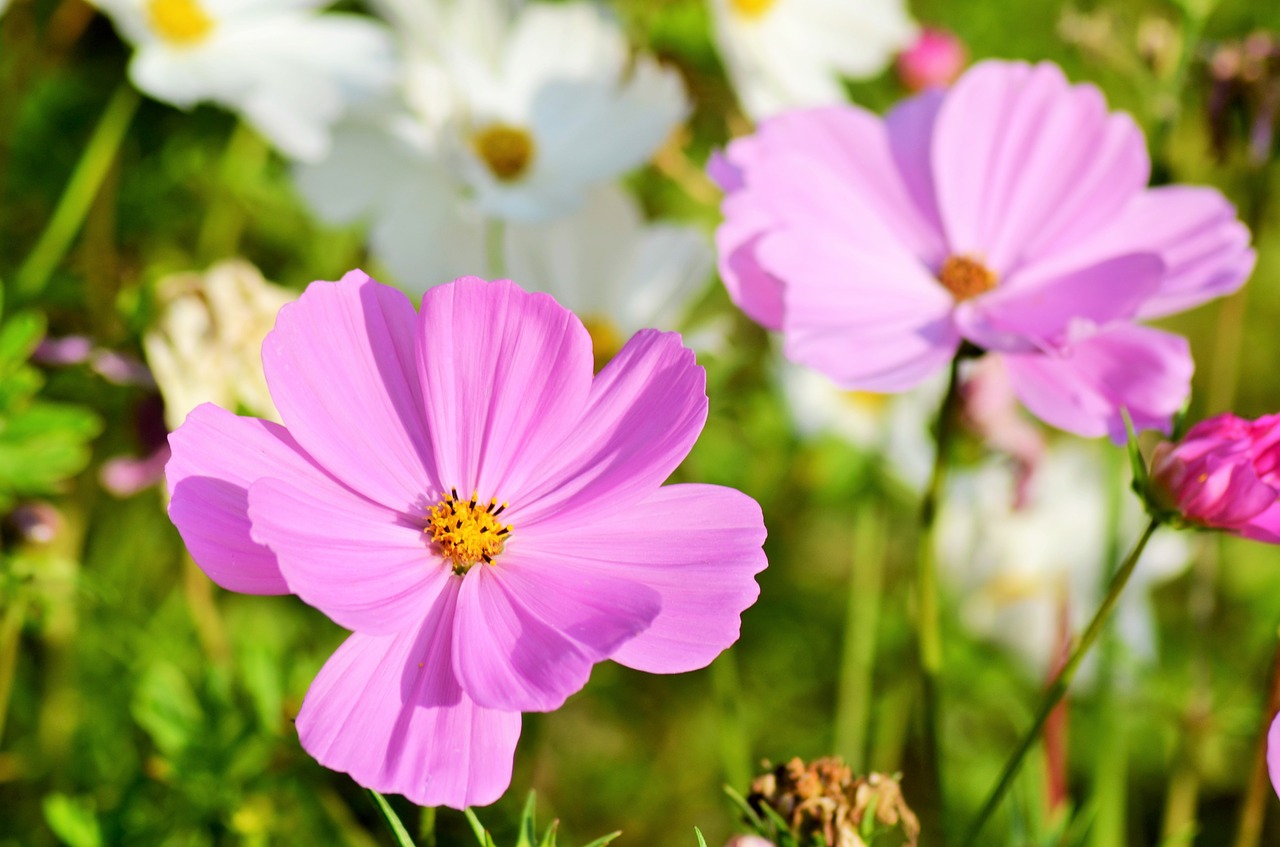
(930, 631)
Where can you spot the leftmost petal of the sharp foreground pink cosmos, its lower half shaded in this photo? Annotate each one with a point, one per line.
(217, 456)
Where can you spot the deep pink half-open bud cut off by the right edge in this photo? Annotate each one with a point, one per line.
(1226, 474)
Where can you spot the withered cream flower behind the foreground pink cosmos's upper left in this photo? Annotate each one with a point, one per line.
(207, 345)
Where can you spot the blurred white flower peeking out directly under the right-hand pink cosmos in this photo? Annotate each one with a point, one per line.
(895, 427)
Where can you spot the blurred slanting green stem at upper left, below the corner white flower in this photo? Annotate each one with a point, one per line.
(79, 196)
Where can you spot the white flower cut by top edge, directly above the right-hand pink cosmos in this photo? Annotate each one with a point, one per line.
(785, 54)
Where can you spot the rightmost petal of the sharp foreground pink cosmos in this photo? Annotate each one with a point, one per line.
(697, 546)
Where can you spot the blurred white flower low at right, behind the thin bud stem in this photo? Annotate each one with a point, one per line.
(1022, 574)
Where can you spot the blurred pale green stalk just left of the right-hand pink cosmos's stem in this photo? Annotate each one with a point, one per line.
(854, 701)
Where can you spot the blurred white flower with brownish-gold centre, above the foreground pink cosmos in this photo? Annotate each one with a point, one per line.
(511, 116)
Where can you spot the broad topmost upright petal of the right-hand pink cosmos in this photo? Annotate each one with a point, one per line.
(1025, 162)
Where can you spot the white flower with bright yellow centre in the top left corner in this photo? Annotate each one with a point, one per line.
(290, 71)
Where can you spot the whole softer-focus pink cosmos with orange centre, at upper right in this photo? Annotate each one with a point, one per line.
(1011, 213)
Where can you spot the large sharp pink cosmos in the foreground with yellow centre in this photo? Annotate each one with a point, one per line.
(490, 520)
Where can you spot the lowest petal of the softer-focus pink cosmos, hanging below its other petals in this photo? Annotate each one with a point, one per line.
(1082, 391)
